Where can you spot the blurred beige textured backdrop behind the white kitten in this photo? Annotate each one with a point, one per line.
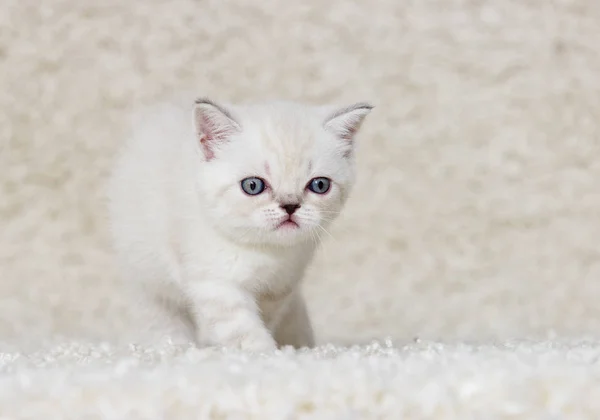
(477, 211)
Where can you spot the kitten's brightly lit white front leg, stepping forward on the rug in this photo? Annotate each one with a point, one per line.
(228, 316)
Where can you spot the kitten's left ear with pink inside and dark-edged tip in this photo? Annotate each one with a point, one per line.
(214, 125)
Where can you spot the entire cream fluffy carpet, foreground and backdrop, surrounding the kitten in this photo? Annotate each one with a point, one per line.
(475, 218)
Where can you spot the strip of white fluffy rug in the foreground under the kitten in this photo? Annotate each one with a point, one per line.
(546, 380)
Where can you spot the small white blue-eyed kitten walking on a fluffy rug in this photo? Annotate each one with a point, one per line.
(220, 211)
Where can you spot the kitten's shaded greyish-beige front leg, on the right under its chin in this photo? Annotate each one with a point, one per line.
(294, 327)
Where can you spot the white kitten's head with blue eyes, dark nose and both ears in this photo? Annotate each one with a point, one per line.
(275, 173)
